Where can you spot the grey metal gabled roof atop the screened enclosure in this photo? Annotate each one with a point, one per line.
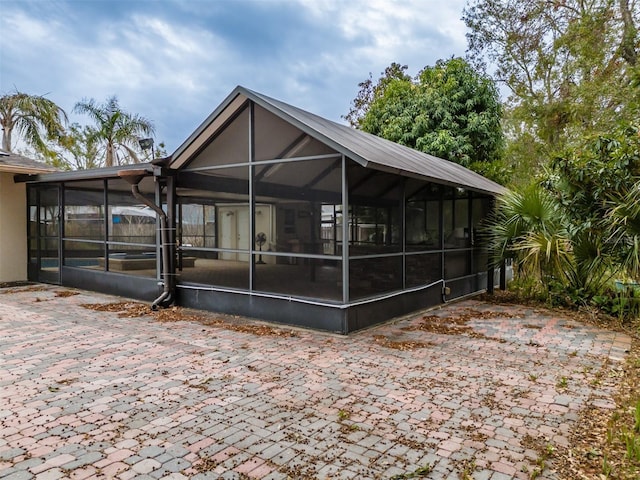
(368, 150)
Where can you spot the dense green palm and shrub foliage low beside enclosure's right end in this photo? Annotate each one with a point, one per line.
(577, 230)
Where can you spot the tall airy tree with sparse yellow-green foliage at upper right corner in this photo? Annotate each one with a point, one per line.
(568, 64)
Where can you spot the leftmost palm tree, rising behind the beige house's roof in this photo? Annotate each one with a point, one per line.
(29, 116)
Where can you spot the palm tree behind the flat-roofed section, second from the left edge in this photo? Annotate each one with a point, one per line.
(116, 129)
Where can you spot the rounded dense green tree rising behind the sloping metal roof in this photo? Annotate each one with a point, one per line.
(449, 110)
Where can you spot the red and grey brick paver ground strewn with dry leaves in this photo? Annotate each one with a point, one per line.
(86, 394)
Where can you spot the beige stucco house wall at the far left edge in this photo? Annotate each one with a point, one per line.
(13, 229)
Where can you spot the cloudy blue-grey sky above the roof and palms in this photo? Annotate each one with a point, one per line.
(174, 61)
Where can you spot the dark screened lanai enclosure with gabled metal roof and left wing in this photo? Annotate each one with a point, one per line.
(272, 212)
